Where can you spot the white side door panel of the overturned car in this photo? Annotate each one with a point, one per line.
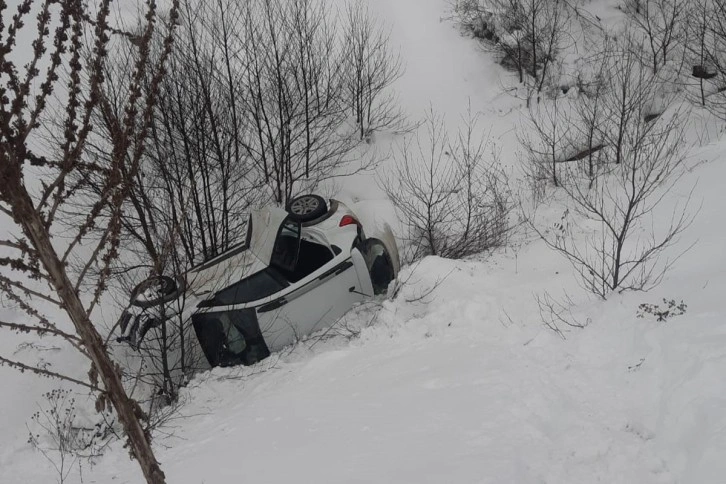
(315, 303)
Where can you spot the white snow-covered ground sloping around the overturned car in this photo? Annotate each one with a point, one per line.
(457, 380)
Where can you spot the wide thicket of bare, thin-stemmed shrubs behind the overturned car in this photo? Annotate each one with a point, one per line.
(268, 103)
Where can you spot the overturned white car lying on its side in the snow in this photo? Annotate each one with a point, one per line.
(299, 270)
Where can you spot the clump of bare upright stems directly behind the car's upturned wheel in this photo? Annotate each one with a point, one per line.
(294, 95)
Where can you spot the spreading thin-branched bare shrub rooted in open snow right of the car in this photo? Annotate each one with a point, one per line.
(624, 251)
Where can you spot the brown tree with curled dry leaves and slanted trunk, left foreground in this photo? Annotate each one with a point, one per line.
(41, 245)
